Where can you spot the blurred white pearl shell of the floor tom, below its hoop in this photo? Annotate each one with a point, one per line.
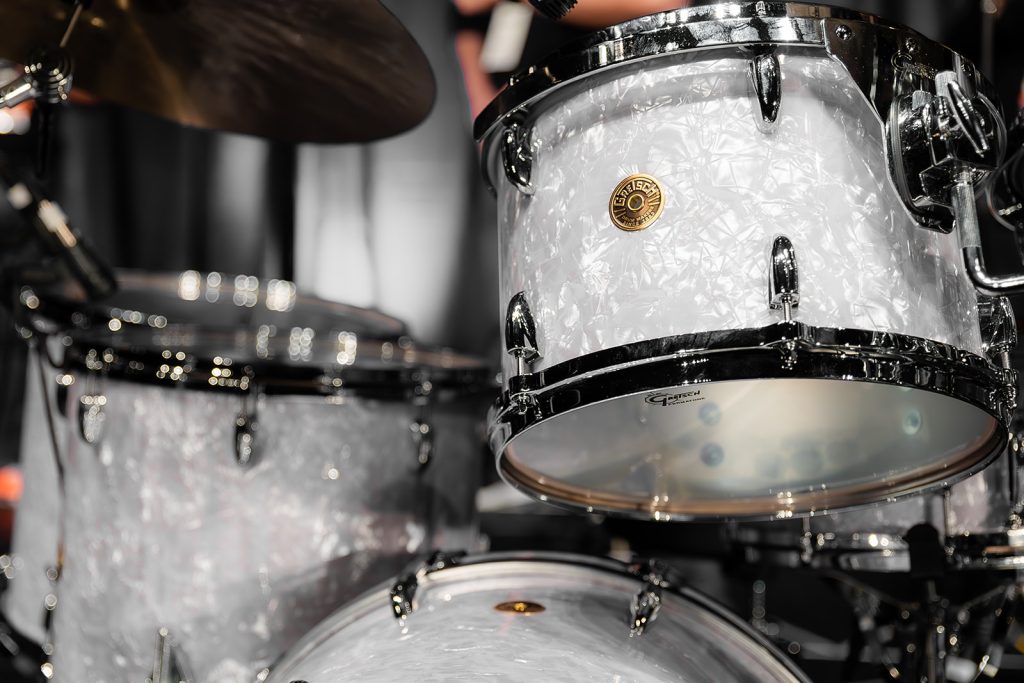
(165, 530)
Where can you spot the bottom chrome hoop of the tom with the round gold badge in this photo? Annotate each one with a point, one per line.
(784, 351)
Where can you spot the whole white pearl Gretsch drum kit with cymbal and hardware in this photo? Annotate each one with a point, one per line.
(741, 281)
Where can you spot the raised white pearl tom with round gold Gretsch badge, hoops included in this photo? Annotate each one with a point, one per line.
(718, 304)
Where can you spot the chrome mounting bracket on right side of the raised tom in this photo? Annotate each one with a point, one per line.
(941, 141)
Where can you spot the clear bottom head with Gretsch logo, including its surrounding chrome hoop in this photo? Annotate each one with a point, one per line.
(761, 432)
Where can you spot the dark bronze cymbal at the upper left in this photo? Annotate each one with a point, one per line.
(316, 71)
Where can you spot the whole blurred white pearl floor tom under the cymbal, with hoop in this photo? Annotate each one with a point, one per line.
(241, 460)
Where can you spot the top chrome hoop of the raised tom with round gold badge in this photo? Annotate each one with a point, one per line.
(884, 58)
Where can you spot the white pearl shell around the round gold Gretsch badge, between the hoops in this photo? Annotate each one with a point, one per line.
(821, 179)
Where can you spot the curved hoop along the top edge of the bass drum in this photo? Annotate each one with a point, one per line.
(651, 575)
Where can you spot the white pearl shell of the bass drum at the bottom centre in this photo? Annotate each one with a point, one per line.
(582, 634)
